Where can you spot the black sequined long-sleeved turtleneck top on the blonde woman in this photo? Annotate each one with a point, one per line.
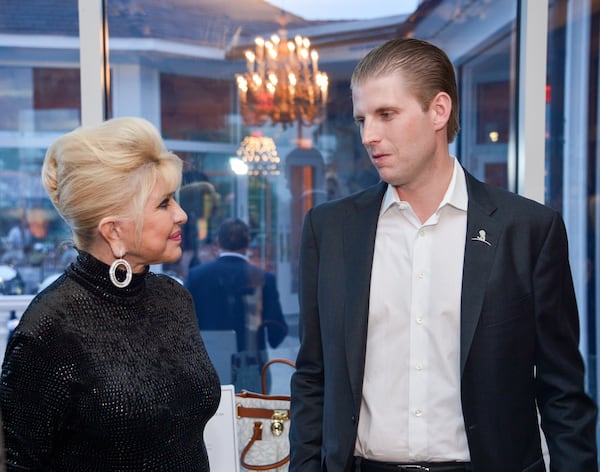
(97, 378)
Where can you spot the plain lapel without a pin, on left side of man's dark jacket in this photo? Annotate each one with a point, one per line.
(360, 227)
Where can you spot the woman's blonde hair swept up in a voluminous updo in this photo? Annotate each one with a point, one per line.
(107, 170)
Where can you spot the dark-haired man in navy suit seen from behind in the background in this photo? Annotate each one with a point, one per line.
(231, 294)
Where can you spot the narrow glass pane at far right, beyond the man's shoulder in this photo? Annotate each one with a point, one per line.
(572, 152)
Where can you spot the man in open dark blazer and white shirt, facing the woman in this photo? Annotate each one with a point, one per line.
(437, 313)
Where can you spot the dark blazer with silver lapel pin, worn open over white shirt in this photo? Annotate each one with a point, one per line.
(519, 336)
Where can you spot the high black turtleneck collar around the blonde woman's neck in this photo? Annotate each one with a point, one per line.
(93, 274)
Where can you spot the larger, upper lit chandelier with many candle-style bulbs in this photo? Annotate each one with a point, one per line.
(282, 83)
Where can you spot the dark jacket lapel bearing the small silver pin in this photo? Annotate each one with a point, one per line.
(483, 234)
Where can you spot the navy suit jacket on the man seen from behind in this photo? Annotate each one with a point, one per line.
(218, 288)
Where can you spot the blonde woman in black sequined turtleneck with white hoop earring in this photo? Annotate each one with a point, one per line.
(106, 369)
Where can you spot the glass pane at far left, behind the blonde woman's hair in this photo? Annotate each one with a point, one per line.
(39, 99)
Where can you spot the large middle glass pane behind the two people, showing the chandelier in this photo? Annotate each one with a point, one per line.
(190, 86)
